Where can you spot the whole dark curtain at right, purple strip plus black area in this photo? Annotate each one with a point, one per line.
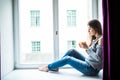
(111, 40)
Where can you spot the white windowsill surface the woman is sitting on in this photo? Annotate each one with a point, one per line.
(63, 74)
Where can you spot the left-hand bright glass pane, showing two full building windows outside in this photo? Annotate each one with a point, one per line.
(35, 31)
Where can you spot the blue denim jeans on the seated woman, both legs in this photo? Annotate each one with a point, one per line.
(76, 60)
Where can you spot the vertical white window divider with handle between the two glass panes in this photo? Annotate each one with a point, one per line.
(56, 29)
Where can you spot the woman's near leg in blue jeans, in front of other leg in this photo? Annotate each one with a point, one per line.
(79, 65)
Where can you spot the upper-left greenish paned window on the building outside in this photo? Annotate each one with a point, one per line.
(35, 17)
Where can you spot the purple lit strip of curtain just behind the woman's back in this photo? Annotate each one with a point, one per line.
(106, 40)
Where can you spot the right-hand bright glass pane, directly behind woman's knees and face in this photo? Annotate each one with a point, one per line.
(73, 18)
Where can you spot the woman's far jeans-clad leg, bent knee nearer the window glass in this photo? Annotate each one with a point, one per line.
(74, 53)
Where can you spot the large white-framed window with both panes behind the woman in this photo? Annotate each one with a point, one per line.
(46, 29)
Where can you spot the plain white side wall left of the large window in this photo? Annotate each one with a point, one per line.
(6, 27)
